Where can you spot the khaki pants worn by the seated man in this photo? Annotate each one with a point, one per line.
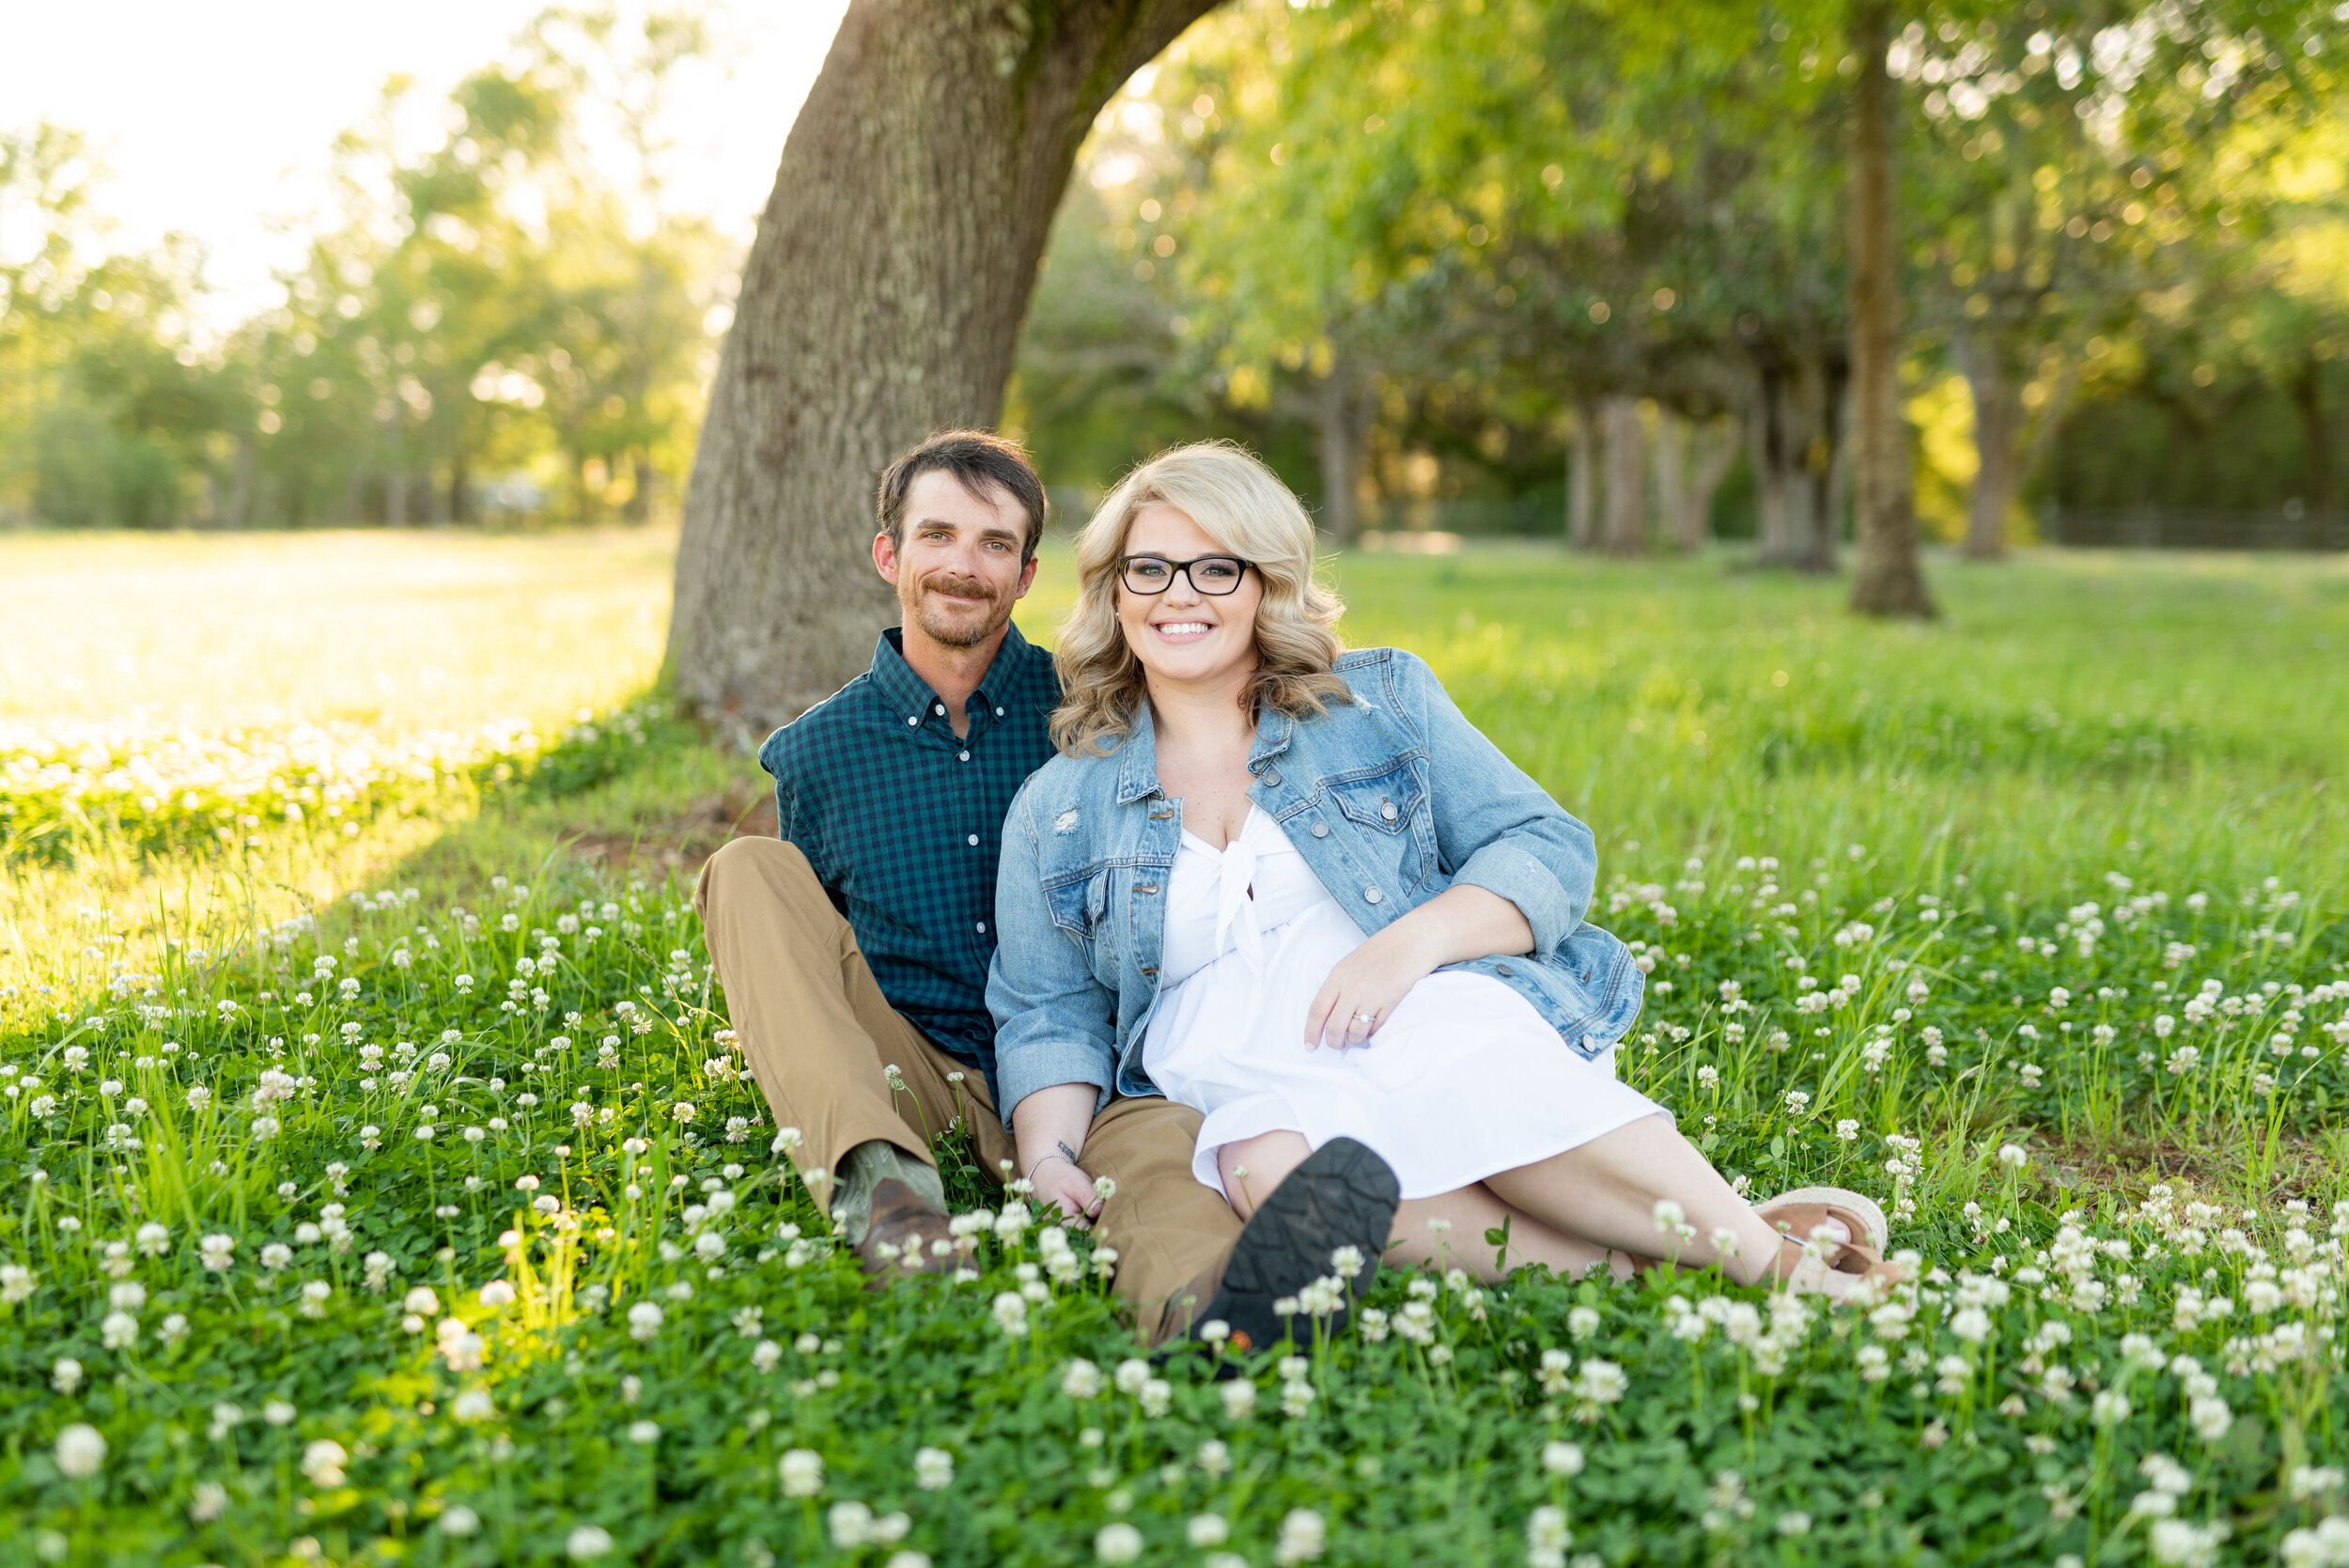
(821, 1036)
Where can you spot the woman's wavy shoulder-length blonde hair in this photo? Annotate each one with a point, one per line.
(1237, 501)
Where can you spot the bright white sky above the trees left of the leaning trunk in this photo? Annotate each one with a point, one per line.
(217, 119)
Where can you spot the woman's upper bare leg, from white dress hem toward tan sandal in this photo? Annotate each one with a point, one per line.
(1608, 1191)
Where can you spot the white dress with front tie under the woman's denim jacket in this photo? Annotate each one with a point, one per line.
(1465, 1081)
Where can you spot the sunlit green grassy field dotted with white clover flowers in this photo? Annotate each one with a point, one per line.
(391, 1194)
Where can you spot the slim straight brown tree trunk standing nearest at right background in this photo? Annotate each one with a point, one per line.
(1890, 579)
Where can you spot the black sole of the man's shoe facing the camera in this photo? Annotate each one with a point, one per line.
(1342, 1196)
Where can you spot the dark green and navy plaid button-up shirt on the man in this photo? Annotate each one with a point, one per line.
(903, 825)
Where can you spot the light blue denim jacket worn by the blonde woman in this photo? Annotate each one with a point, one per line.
(1389, 799)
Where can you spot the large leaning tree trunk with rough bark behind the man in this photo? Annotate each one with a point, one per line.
(882, 302)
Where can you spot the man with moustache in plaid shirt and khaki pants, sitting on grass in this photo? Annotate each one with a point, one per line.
(854, 952)
